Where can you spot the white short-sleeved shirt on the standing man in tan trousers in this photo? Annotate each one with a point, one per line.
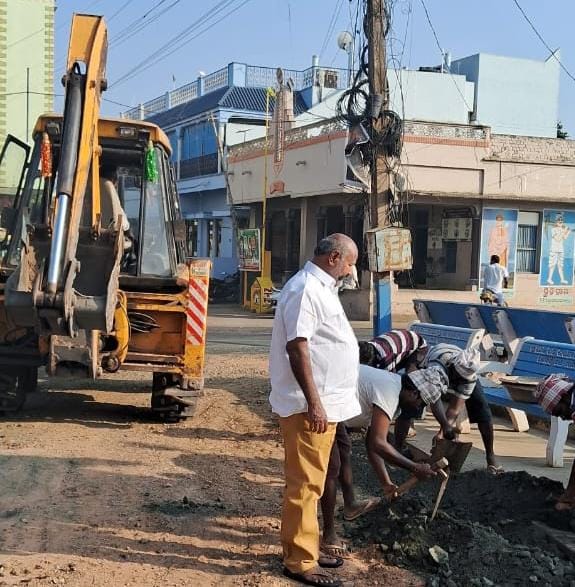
(309, 308)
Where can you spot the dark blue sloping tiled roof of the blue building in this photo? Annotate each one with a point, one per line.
(233, 98)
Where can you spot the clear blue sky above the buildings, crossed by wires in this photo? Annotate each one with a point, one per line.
(288, 32)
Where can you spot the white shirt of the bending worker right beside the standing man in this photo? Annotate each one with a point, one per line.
(376, 387)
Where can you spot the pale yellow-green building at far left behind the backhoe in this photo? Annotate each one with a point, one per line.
(26, 70)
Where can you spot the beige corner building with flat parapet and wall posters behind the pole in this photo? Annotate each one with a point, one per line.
(451, 179)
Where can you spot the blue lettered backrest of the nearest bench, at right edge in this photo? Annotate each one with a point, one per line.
(539, 358)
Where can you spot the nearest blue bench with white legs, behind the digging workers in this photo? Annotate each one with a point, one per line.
(533, 358)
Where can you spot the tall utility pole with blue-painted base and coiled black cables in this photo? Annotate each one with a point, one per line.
(379, 197)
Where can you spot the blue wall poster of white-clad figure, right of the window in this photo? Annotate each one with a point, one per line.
(557, 252)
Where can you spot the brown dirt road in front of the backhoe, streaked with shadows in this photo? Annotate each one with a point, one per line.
(95, 492)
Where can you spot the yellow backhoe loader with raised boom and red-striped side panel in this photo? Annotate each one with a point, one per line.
(93, 270)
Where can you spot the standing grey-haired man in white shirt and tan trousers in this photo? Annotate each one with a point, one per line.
(314, 361)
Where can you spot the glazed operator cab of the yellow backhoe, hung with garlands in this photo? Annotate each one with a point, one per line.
(145, 198)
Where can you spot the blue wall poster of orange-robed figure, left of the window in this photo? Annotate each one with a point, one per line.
(499, 237)
